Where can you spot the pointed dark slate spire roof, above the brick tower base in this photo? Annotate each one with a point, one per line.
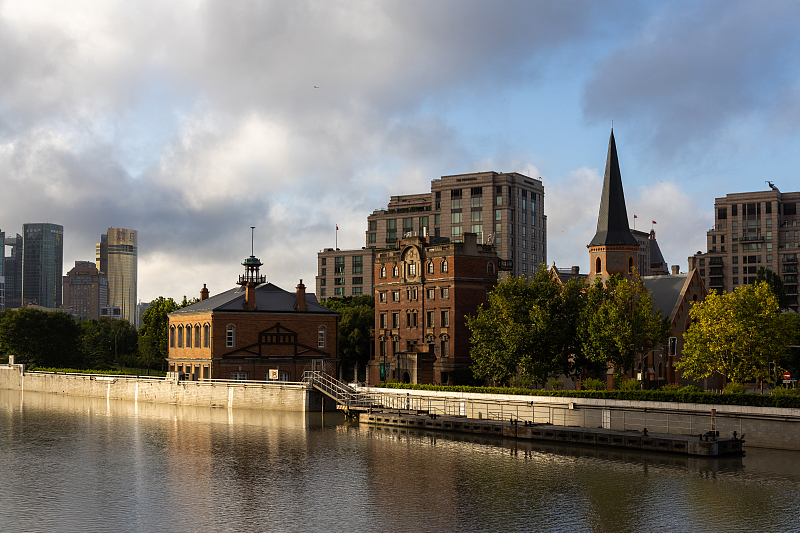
(612, 222)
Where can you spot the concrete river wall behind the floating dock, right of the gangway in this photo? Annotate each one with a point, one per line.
(763, 427)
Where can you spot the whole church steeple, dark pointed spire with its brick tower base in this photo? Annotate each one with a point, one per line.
(614, 249)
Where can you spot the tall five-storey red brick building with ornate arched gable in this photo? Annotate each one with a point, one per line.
(423, 293)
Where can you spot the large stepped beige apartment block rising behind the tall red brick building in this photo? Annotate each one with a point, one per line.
(503, 209)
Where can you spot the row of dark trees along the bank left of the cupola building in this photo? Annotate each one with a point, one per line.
(56, 340)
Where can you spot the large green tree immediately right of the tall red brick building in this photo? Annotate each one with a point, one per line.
(528, 329)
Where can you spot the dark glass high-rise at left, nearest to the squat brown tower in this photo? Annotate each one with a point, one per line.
(42, 263)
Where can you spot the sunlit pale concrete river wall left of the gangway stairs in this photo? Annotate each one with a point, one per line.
(239, 394)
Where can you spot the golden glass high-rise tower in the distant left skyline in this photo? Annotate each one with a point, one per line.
(117, 258)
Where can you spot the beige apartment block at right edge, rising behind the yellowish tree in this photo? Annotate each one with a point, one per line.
(752, 230)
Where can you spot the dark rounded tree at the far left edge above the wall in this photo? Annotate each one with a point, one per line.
(40, 338)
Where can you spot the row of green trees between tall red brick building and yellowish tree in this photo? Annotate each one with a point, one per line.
(537, 328)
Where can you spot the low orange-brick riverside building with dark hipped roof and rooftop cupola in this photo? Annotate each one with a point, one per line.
(256, 331)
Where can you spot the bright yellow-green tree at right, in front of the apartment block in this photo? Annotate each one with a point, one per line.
(736, 334)
